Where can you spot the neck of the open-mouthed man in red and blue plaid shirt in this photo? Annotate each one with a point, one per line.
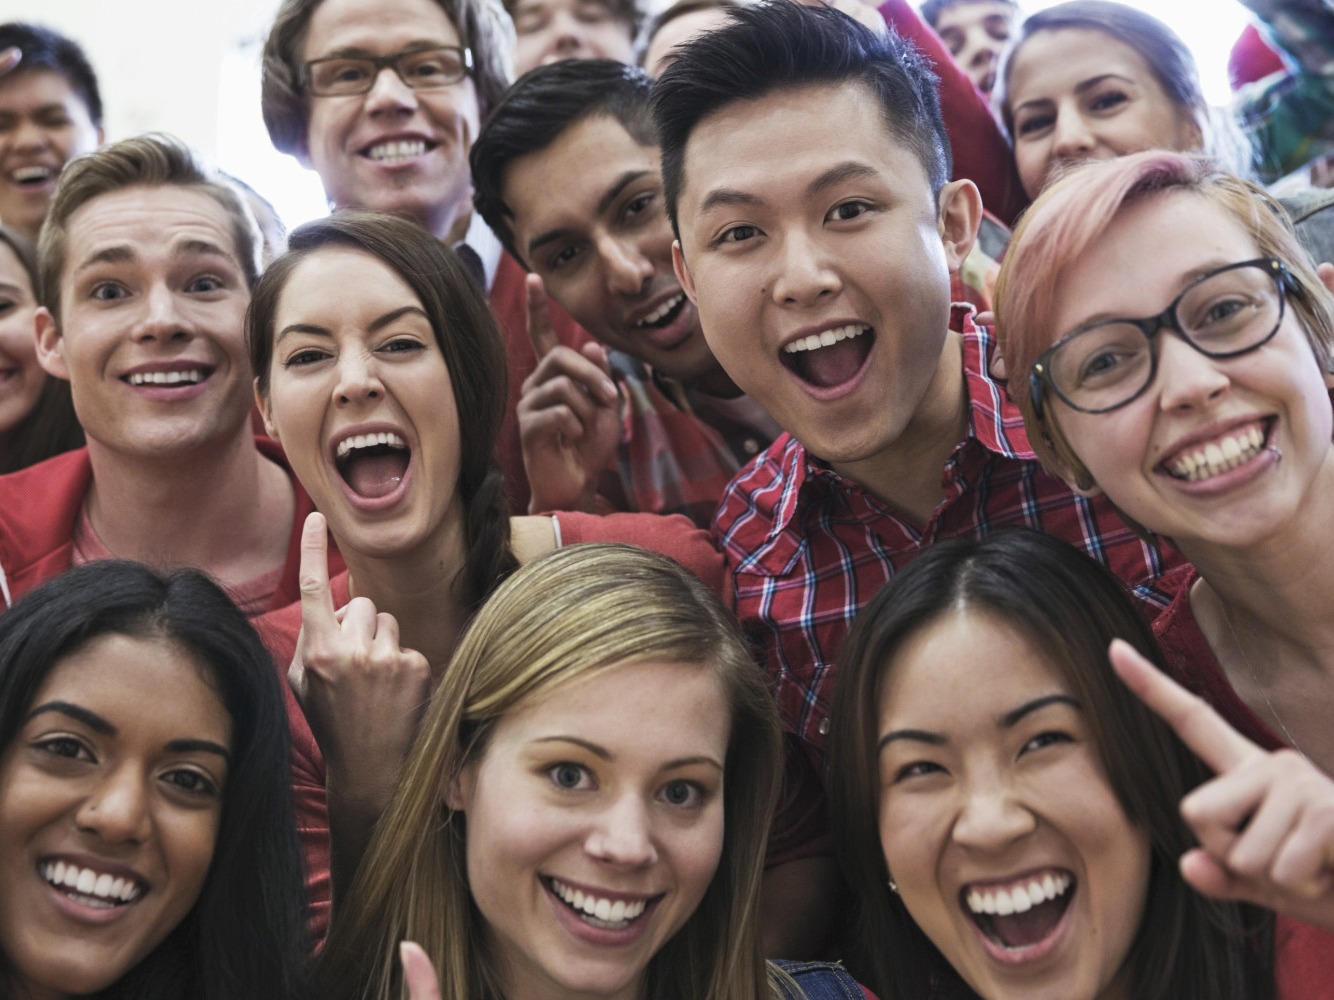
(908, 474)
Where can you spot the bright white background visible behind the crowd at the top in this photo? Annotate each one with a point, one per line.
(191, 67)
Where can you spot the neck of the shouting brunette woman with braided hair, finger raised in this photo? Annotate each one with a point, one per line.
(422, 589)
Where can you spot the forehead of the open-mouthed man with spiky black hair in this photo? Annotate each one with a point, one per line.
(774, 146)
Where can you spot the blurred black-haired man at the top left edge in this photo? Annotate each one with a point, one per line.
(50, 113)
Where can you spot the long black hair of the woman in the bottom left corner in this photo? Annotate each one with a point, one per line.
(245, 937)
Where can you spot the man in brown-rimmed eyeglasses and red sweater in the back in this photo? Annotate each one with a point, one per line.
(384, 99)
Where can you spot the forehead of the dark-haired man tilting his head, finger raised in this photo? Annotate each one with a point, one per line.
(569, 181)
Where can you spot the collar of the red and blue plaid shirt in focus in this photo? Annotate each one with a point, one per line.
(996, 427)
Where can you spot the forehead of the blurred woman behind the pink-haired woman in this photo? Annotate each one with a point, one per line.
(1055, 63)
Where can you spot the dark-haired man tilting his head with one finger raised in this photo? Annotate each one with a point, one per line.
(568, 175)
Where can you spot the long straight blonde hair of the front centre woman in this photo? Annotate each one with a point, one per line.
(561, 618)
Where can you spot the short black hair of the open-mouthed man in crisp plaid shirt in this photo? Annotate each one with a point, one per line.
(780, 47)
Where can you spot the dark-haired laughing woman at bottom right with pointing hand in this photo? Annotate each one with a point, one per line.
(1012, 817)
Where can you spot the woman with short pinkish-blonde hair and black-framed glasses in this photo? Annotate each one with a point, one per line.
(1169, 345)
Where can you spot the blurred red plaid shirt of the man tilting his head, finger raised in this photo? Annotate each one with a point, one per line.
(669, 459)
